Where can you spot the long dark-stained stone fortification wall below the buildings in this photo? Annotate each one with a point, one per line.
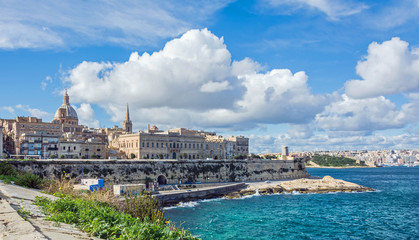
(171, 171)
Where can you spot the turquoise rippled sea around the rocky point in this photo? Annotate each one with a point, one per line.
(390, 213)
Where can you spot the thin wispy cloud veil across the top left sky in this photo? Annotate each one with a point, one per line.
(49, 24)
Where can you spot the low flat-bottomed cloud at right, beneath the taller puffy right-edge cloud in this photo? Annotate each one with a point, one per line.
(368, 114)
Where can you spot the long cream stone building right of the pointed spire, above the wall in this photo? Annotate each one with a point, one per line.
(179, 143)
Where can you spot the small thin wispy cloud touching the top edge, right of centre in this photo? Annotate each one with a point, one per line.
(334, 9)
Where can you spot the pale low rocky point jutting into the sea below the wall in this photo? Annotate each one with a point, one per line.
(303, 185)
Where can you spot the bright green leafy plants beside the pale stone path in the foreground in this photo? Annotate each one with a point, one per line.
(105, 221)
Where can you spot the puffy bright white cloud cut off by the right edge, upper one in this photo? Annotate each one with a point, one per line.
(389, 68)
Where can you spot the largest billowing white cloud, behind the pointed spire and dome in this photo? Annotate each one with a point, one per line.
(192, 81)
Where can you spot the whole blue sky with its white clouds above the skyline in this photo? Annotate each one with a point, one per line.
(311, 74)
